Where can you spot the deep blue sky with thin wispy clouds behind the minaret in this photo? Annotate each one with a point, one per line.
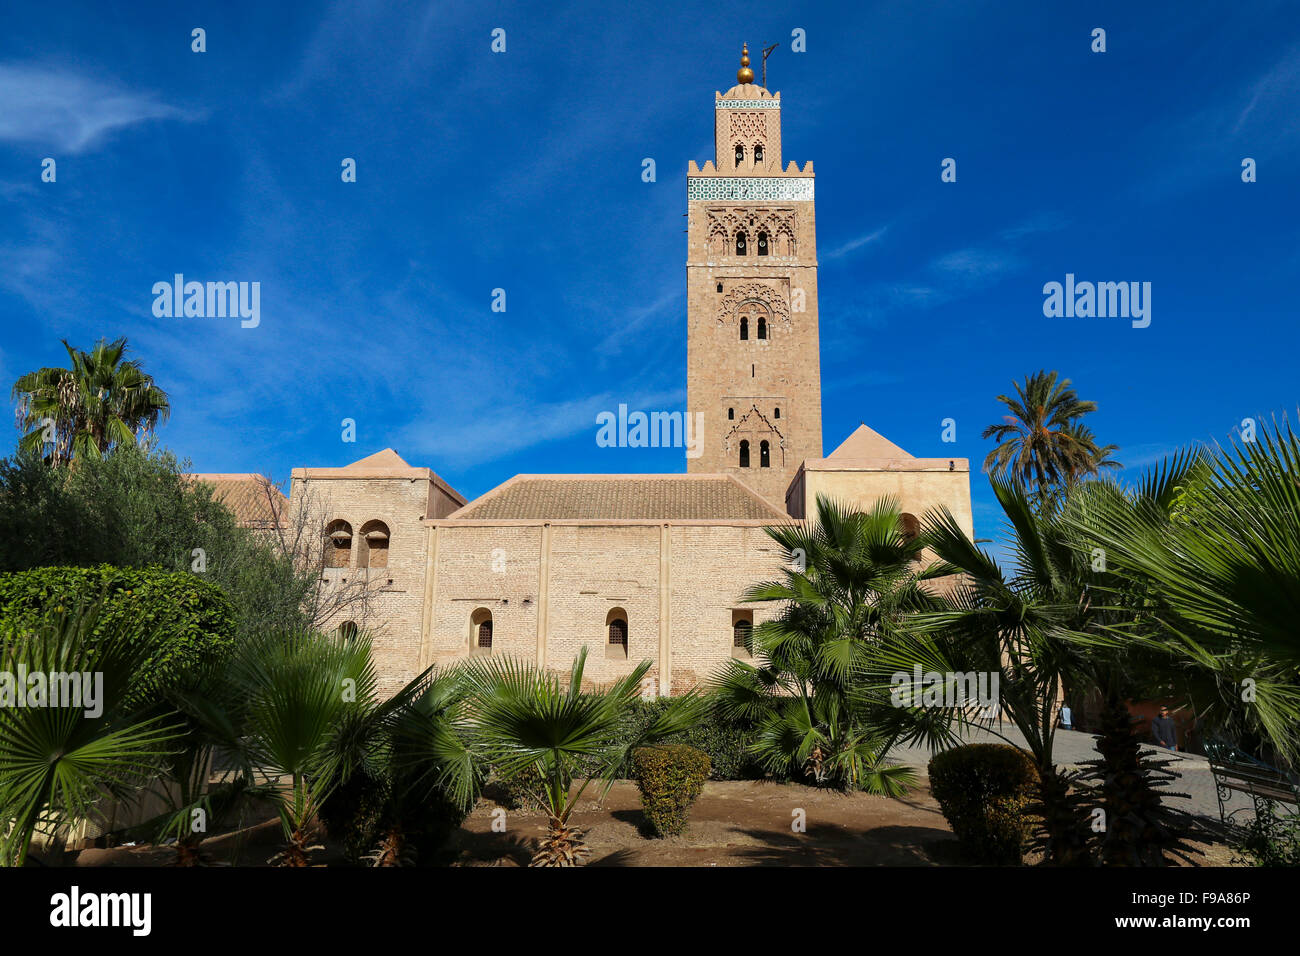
(523, 171)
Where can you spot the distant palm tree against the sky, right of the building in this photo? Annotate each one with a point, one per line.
(1042, 443)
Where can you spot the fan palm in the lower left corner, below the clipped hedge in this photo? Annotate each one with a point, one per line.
(58, 764)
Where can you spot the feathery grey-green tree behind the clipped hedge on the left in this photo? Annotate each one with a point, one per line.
(136, 511)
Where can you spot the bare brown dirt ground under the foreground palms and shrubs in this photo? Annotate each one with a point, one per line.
(733, 824)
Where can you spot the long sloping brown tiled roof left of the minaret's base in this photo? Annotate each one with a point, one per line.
(622, 498)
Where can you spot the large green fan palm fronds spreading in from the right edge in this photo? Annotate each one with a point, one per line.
(1221, 557)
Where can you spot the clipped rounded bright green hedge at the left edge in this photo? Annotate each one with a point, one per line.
(192, 618)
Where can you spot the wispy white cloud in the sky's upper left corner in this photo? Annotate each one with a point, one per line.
(71, 113)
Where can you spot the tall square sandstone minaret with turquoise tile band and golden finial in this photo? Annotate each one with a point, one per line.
(753, 364)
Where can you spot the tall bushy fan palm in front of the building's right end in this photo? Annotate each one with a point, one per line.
(848, 579)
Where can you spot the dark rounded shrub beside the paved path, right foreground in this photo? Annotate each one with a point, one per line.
(983, 791)
